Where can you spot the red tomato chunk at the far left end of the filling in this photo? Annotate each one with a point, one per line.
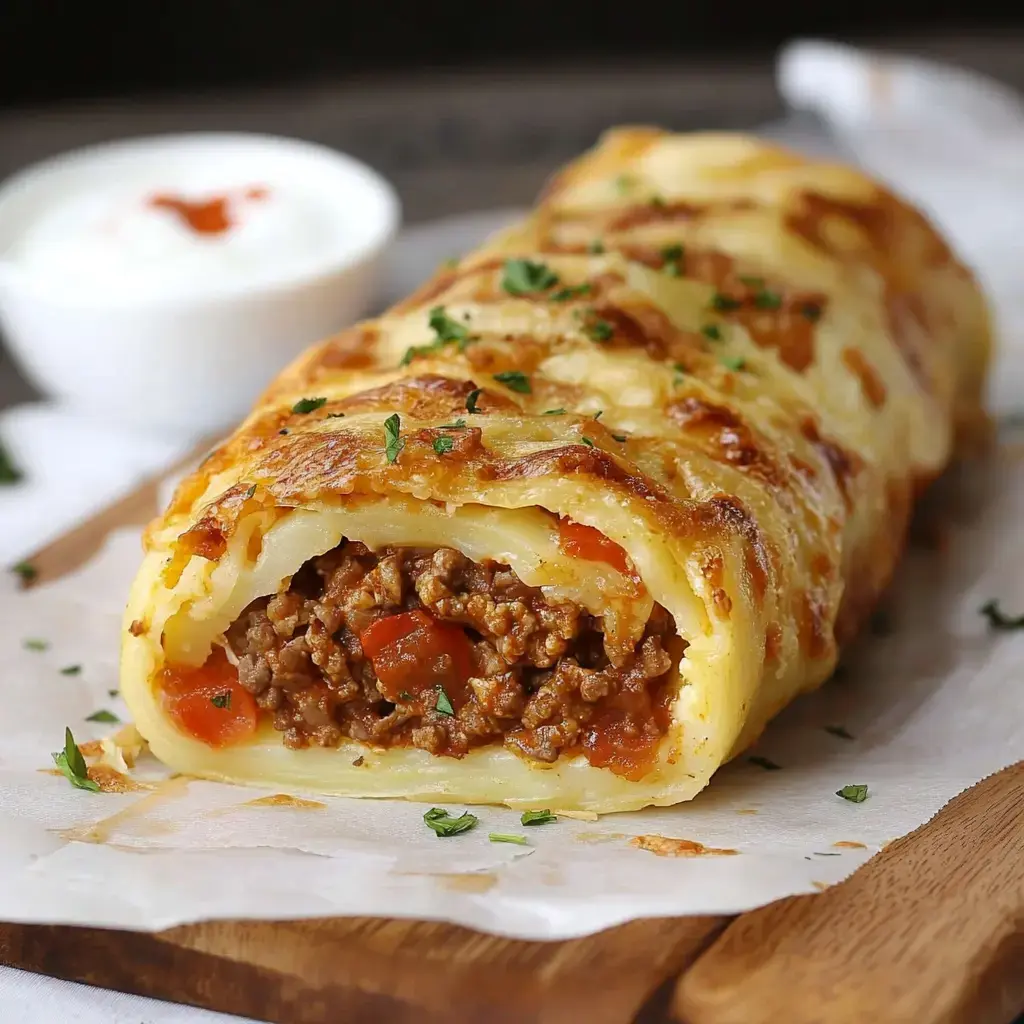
(208, 703)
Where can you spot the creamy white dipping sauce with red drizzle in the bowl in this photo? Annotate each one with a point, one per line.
(144, 224)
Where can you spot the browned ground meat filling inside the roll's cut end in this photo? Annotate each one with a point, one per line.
(428, 649)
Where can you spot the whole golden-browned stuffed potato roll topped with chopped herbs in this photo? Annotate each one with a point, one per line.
(570, 525)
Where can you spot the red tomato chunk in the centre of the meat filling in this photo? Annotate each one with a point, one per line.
(413, 652)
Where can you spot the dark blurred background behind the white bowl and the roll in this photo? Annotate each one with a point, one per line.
(464, 107)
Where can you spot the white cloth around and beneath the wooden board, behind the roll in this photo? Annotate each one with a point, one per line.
(954, 143)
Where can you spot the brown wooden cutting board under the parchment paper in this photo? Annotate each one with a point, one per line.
(930, 931)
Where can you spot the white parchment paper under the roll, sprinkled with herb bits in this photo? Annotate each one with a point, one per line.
(932, 700)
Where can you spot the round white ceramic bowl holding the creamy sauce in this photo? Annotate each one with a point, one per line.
(189, 358)
